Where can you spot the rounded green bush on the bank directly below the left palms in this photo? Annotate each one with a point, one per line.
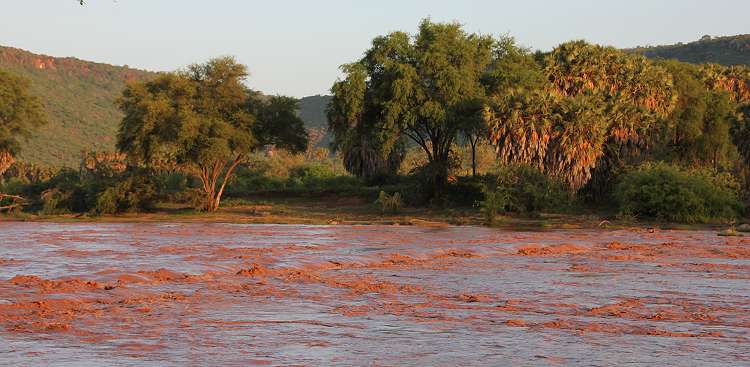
(523, 189)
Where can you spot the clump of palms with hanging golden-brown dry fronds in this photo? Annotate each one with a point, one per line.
(595, 109)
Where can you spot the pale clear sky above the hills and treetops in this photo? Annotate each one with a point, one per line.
(296, 47)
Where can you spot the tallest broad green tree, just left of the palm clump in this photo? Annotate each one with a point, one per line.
(412, 87)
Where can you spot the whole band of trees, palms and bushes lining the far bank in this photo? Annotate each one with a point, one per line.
(433, 128)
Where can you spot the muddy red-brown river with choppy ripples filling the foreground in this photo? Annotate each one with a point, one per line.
(221, 294)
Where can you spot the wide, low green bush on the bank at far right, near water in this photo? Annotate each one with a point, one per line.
(667, 192)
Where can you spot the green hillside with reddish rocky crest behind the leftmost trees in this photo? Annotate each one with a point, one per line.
(79, 101)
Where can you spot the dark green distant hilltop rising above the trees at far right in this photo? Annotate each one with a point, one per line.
(731, 50)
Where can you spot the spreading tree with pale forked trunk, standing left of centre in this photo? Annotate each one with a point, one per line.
(197, 117)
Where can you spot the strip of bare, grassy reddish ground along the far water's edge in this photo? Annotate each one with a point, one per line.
(333, 210)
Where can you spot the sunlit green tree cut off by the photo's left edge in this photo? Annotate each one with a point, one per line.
(20, 113)
